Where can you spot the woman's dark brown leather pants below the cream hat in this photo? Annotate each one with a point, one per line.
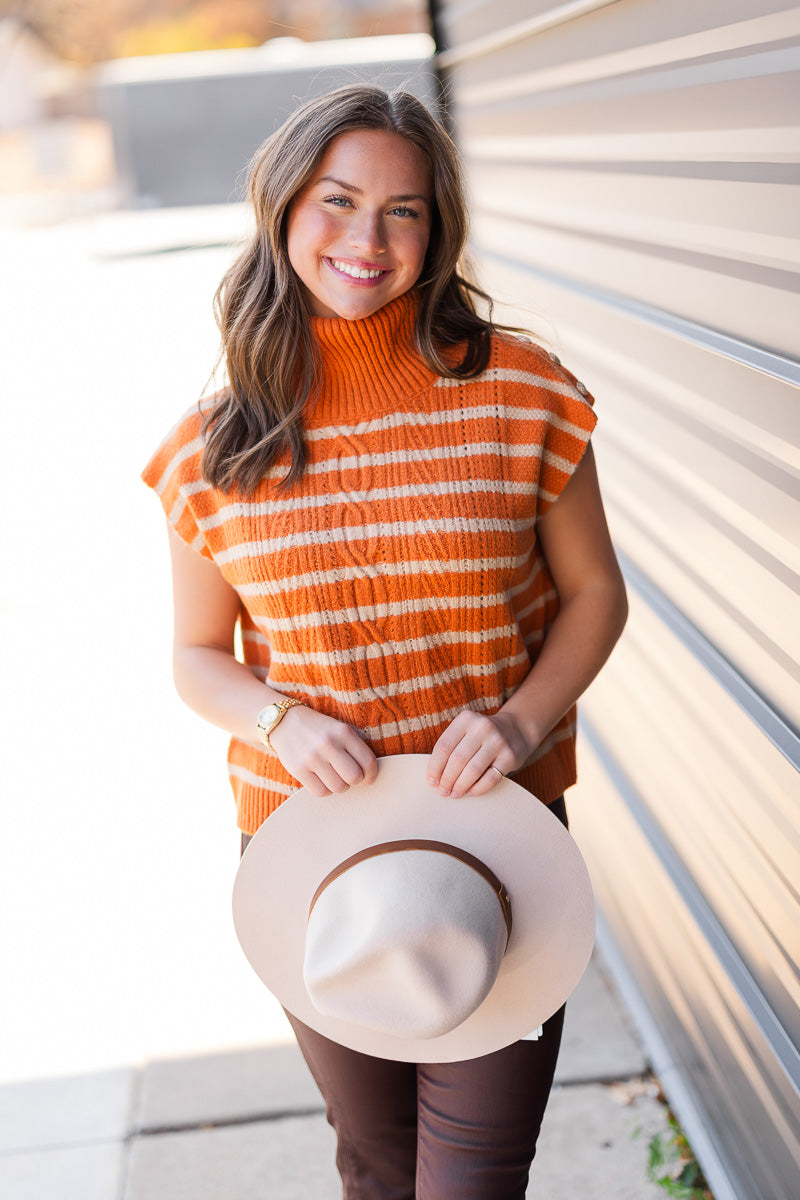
(462, 1131)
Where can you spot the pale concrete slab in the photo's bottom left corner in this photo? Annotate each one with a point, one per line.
(74, 1173)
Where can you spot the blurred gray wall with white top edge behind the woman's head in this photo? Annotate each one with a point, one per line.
(185, 127)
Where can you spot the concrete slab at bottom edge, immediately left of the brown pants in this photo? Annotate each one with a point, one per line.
(285, 1160)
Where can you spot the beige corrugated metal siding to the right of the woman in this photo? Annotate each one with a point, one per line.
(634, 176)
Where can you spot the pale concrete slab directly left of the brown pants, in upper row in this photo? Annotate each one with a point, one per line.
(226, 1088)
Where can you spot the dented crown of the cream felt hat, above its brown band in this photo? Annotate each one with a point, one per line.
(408, 944)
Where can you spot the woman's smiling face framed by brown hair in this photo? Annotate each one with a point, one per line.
(359, 231)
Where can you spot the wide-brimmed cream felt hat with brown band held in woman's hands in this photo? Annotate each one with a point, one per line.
(417, 927)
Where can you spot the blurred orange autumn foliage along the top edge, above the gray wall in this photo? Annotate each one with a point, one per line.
(87, 32)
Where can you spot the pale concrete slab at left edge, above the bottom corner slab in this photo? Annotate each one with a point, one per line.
(50, 1113)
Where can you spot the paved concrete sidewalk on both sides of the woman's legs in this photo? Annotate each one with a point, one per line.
(249, 1125)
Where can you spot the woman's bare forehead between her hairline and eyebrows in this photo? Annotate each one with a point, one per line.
(376, 160)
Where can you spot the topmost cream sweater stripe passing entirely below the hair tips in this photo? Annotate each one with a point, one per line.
(239, 511)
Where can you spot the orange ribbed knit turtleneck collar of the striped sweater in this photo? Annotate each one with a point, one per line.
(369, 367)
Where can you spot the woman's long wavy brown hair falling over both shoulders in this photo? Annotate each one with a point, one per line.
(267, 340)
